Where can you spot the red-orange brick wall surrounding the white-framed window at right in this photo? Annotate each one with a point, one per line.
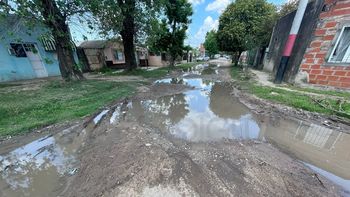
(335, 15)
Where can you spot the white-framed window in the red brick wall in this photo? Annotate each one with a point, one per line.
(341, 51)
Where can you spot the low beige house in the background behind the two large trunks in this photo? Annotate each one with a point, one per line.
(110, 53)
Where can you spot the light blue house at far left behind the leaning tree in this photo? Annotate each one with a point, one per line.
(26, 53)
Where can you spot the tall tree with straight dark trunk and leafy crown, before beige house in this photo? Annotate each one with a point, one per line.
(125, 18)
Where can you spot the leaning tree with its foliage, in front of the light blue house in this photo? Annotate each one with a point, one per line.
(55, 14)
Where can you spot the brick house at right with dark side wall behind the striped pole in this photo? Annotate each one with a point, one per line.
(322, 50)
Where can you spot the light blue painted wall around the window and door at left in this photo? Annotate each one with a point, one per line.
(18, 68)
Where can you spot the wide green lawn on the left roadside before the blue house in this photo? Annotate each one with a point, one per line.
(24, 110)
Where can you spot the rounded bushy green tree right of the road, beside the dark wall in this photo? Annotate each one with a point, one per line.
(242, 24)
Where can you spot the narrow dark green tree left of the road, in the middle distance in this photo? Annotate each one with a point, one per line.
(169, 33)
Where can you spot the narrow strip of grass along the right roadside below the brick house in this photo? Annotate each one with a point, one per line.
(291, 98)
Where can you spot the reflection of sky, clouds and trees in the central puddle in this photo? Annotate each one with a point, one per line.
(205, 114)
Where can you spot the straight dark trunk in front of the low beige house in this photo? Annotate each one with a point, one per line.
(128, 33)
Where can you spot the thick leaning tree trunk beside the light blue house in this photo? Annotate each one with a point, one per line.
(60, 31)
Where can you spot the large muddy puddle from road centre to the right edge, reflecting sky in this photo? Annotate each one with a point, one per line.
(210, 113)
